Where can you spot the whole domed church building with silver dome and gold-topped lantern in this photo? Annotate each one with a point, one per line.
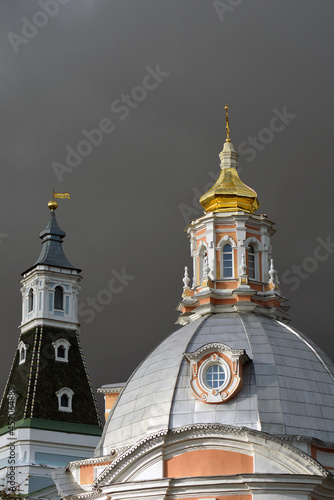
(236, 404)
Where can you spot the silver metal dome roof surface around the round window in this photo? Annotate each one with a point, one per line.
(288, 387)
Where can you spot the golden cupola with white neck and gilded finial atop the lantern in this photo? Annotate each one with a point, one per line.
(229, 193)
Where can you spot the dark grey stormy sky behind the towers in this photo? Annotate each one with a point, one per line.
(129, 195)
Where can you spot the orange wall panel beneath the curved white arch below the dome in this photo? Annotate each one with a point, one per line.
(208, 463)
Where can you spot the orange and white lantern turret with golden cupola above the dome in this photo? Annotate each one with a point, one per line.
(231, 250)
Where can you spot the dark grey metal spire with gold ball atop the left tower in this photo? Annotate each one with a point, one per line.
(52, 237)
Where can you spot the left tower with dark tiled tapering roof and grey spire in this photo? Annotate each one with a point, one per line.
(48, 413)
